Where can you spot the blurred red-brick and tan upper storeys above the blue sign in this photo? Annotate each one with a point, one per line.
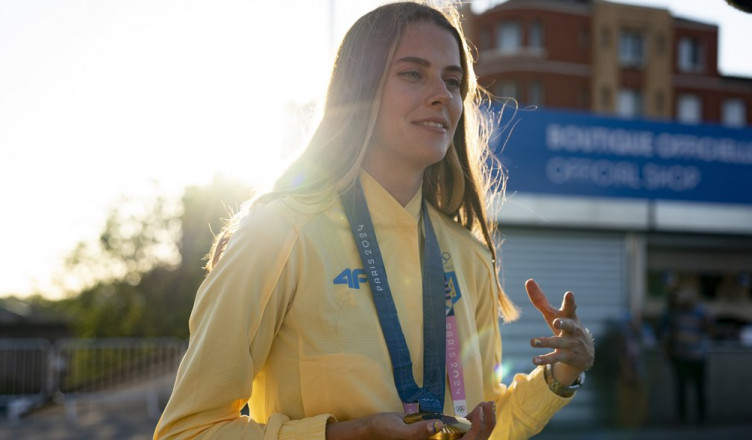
(608, 58)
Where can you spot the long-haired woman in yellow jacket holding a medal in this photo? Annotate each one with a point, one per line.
(300, 313)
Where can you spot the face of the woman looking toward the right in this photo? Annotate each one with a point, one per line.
(421, 103)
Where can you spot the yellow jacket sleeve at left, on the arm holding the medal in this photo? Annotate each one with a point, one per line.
(237, 313)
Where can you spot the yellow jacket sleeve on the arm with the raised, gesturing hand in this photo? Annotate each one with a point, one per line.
(524, 407)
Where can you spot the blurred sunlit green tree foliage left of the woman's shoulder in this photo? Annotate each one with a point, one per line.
(141, 277)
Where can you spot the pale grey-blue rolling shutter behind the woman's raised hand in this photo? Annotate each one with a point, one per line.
(593, 265)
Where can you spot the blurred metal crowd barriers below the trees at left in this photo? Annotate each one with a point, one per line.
(73, 372)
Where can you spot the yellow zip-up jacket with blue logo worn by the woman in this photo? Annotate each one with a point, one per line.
(286, 323)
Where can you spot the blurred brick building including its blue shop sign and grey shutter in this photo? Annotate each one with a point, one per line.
(629, 165)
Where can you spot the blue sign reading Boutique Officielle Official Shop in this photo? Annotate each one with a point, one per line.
(555, 152)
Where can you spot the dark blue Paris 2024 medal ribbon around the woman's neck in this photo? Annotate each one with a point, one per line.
(430, 397)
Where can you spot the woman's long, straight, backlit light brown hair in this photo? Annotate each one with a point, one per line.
(458, 185)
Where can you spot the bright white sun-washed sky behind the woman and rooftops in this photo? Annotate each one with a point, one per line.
(101, 99)
